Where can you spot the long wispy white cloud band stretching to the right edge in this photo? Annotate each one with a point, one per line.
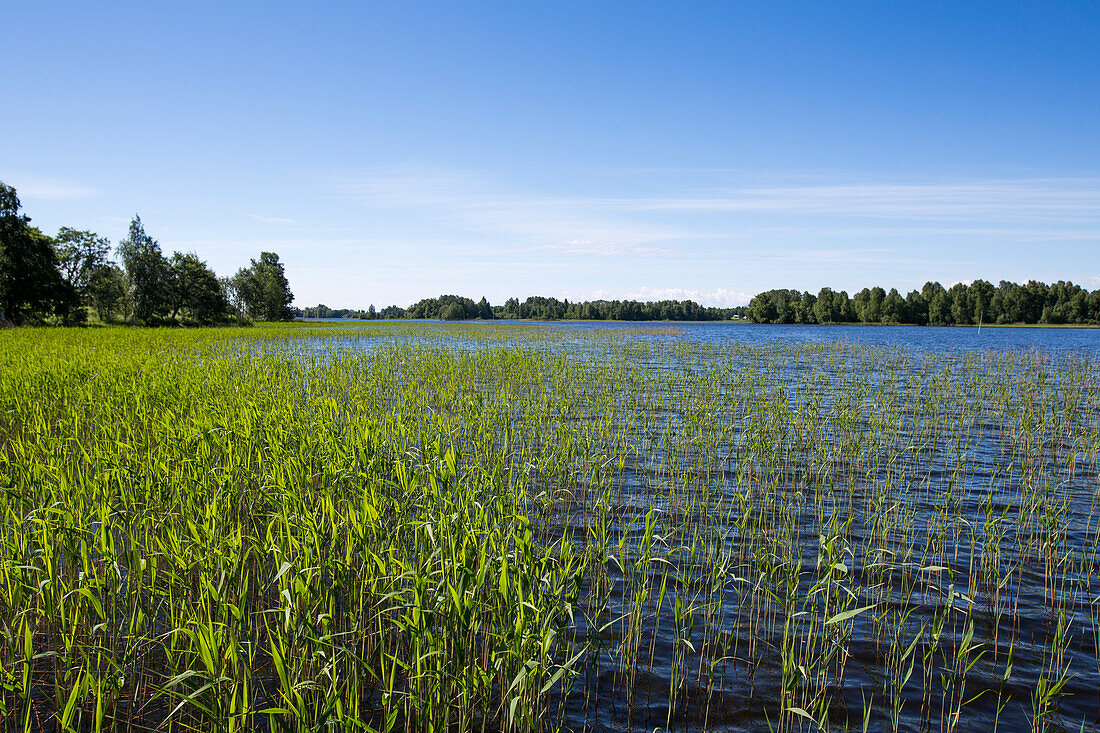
(1017, 211)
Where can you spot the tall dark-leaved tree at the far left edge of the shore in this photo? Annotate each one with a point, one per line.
(30, 285)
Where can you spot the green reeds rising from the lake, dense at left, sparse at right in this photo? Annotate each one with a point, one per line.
(524, 529)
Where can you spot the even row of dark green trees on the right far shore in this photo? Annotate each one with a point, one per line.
(962, 304)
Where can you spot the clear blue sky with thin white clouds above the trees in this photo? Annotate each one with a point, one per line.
(390, 152)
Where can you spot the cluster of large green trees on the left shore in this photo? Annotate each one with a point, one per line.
(71, 277)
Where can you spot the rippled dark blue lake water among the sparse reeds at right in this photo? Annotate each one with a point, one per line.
(980, 446)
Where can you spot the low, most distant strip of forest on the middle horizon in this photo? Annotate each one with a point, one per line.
(454, 308)
